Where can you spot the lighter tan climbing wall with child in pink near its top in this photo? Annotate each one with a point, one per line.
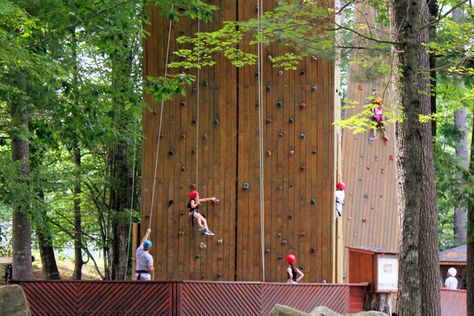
(370, 209)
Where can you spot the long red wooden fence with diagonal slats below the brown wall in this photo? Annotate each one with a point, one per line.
(185, 297)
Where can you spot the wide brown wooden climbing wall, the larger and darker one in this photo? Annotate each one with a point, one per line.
(298, 164)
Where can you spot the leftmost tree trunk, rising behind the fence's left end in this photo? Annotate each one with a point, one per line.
(22, 267)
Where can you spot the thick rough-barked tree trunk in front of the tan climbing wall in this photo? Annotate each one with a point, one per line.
(419, 270)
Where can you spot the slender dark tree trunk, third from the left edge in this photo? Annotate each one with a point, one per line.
(78, 262)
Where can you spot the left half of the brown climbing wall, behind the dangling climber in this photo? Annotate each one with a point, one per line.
(180, 251)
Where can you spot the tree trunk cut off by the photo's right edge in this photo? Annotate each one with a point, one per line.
(470, 240)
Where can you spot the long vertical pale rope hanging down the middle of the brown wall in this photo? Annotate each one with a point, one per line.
(261, 136)
